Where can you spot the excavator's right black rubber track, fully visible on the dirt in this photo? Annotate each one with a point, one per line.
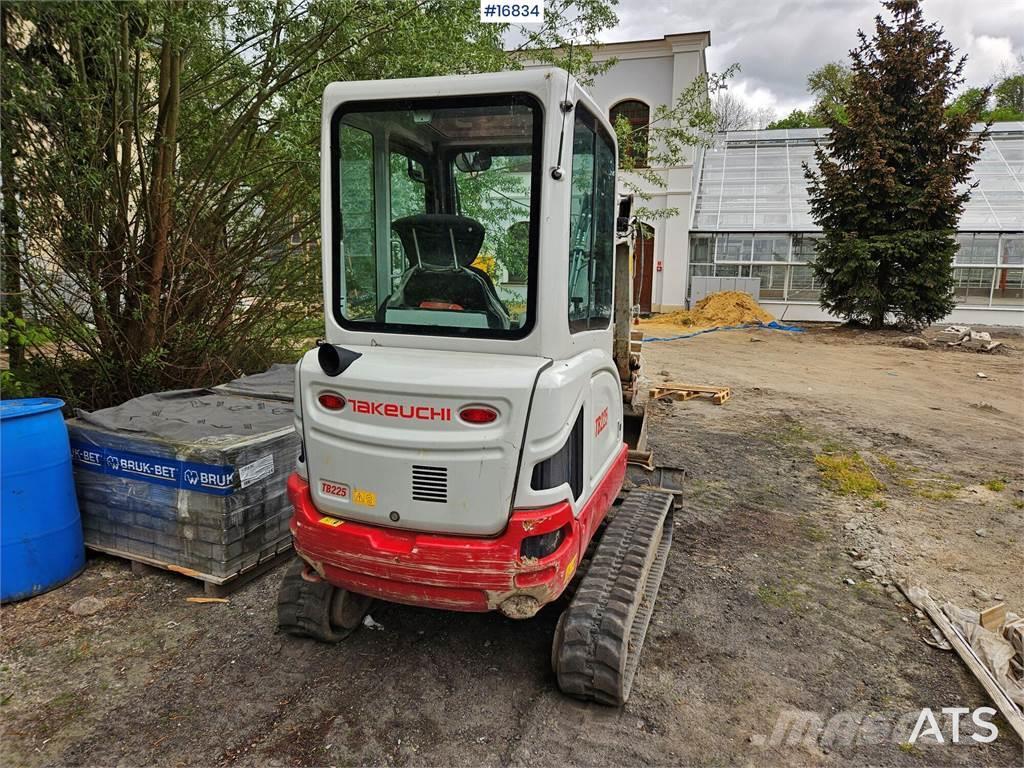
(599, 641)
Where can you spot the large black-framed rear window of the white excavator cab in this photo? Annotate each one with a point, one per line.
(445, 242)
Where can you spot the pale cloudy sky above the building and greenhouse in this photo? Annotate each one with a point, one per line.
(779, 42)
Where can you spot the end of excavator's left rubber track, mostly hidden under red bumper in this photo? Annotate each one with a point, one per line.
(309, 607)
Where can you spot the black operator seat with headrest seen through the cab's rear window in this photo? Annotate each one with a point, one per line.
(441, 249)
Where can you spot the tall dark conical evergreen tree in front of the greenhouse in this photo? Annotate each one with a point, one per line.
(889, 192)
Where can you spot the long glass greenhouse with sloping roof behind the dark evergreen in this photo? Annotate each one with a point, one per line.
(752, 219)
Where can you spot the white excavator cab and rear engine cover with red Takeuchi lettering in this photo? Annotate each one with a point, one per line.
(468, 249)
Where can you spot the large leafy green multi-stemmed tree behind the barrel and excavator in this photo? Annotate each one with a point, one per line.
(160, 159)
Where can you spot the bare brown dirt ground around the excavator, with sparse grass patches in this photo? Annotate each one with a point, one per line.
(763, 620)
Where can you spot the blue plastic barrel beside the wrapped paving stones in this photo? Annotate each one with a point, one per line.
(40, 529)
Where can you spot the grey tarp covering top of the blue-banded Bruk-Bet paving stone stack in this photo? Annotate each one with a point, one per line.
(188, 416)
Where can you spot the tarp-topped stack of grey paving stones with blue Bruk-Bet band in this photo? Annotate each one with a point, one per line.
(193, 480)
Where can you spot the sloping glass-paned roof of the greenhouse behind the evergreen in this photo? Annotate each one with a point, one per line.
(754, 181)
